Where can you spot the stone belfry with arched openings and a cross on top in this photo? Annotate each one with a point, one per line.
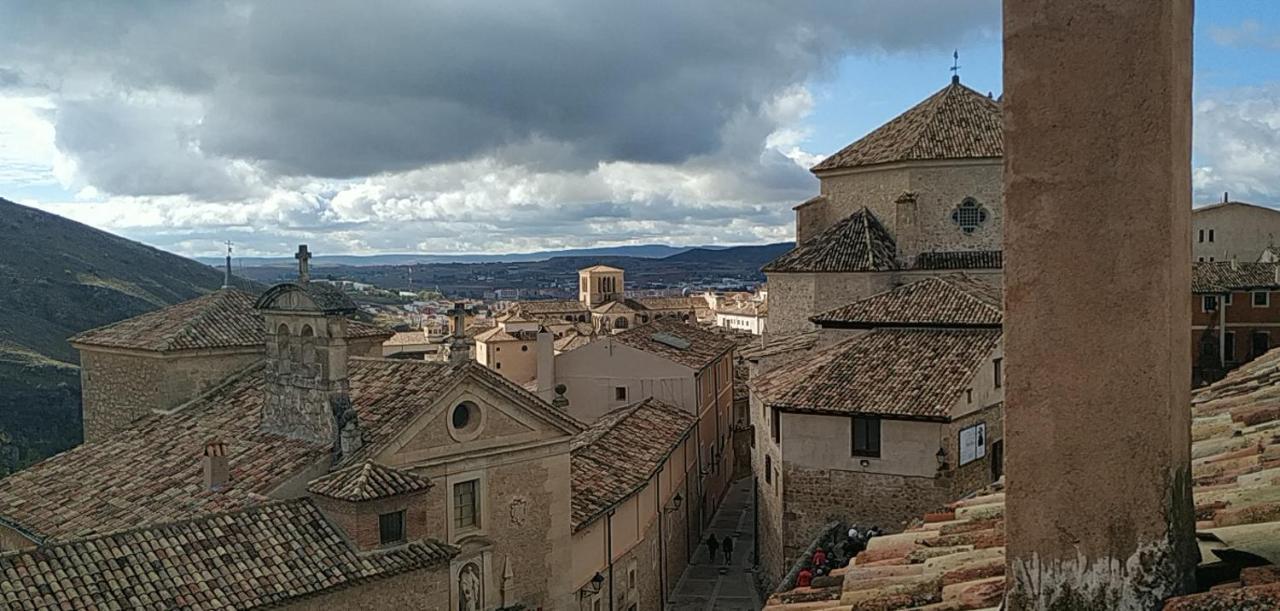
(308, 393)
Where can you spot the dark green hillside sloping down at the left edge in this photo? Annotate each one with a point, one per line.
(58, 279)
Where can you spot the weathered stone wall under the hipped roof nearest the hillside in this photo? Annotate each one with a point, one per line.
(120, 387)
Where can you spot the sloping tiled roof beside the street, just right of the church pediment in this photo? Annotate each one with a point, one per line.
(618, 455)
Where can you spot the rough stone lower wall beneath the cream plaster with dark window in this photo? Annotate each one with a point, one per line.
(819, 496)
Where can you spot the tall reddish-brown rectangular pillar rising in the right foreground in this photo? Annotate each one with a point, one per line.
(1098, 191)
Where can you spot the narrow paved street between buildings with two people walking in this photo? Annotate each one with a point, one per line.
(705, 587)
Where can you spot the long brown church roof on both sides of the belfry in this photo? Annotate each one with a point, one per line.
(152, 472)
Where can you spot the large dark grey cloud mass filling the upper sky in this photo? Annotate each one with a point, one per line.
(339, 89)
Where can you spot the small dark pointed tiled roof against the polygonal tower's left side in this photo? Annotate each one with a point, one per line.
(857, 244)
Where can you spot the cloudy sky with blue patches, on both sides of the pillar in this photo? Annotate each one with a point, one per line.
(461, 126)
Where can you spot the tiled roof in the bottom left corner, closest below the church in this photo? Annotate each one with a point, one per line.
(280, 553)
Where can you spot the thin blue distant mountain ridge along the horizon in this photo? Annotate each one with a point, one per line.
(646, 252)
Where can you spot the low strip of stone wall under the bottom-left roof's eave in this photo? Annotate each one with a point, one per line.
(424, 589)
